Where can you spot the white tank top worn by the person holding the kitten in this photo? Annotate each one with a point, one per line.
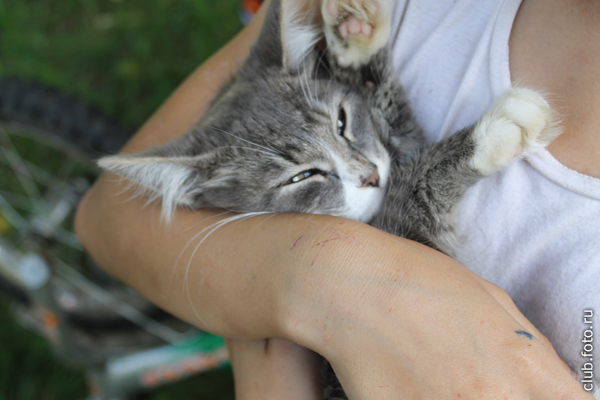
(533, 228)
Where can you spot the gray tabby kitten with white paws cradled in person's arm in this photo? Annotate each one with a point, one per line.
(315, 121)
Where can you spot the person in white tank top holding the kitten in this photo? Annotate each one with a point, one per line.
(394, 318)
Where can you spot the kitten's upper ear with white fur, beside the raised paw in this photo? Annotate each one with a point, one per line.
(289, 34)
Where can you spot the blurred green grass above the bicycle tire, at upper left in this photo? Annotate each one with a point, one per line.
(125, 56)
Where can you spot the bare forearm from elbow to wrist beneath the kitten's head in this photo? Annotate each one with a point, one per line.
(231, 283)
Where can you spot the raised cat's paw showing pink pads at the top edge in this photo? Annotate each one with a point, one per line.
(356, 29)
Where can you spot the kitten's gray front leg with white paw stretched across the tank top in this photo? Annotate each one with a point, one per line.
(424, 192)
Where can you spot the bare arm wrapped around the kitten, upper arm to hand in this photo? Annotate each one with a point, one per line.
(296, 276)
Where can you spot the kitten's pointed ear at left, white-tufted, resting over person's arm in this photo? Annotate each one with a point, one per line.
(175, 179)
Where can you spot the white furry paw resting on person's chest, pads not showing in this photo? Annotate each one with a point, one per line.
(518, 123)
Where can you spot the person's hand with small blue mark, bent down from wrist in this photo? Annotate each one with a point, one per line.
(408, 322)
